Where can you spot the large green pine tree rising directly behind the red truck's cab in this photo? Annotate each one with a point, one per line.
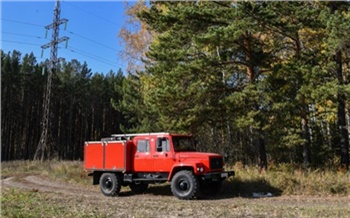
(203, 54)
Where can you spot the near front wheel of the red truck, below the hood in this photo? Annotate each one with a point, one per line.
(184, 185)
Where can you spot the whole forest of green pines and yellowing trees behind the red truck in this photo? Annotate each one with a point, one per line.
(258, 82)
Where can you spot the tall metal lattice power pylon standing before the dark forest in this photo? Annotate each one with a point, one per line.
(46, 142)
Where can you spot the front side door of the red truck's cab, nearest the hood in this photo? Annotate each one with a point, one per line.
(163, 156)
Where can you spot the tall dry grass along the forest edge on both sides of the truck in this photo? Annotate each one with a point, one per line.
(279, 180)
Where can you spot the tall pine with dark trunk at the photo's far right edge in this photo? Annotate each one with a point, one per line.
(338, 27)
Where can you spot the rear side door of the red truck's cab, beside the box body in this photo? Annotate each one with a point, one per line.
(142, 157)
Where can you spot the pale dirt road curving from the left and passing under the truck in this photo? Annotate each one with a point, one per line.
(159, 202)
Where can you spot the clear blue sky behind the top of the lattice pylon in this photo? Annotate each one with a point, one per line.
(92, 29)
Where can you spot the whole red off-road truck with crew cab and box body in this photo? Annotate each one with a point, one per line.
(140, 159)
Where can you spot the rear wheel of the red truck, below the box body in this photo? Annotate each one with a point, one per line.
(110, 184)
